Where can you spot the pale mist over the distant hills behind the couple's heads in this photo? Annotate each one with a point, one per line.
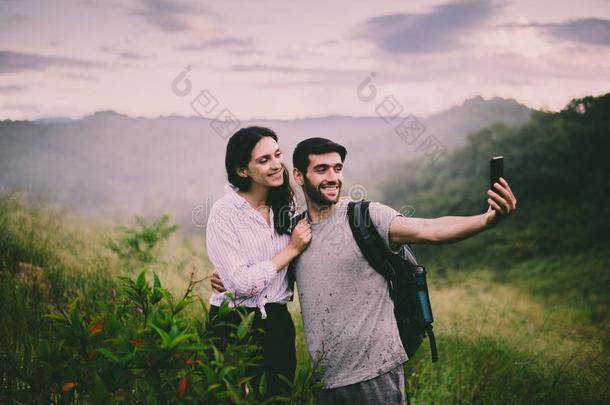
(110, 164)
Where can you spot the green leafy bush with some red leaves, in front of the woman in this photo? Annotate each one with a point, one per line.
(143, 349)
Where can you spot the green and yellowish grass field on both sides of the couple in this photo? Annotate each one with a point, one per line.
(537, 332)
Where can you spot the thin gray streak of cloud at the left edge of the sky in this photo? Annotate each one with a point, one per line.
(17, 62)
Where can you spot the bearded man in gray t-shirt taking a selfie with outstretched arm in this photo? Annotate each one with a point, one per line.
(348, 315)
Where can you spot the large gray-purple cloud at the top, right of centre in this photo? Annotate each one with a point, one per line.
(443, 28)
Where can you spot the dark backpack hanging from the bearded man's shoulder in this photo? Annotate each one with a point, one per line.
(406, 280)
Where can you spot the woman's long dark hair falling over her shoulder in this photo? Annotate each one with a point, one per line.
(239, 152)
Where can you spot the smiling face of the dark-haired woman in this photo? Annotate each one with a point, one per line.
(266, 165)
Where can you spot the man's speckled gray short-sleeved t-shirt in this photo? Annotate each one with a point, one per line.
(348, 315)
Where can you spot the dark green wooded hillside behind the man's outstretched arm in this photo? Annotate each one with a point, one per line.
(557, 169)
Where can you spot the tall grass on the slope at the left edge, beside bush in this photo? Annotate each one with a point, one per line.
(43, 264)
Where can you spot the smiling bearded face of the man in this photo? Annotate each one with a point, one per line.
(324, 178)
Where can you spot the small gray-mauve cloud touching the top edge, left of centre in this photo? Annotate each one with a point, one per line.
(169, 15)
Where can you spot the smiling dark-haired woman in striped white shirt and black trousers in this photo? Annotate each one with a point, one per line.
(250, 245)
